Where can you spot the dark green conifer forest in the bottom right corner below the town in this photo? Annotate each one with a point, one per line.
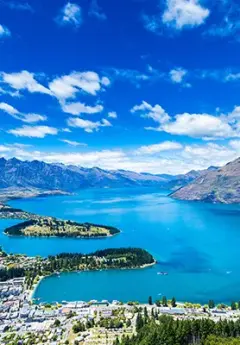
(164, 330)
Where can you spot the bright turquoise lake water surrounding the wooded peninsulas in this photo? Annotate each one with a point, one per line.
(196, 243)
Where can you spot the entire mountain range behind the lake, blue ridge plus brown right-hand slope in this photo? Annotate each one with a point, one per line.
(36, 178)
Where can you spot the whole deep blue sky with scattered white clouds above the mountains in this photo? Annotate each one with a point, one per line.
(144, 85)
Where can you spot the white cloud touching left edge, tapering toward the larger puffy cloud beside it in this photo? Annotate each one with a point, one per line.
(24, 80)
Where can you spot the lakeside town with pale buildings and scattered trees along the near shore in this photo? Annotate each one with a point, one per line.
(26, 321)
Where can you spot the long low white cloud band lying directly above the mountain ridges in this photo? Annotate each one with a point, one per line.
(172, 162)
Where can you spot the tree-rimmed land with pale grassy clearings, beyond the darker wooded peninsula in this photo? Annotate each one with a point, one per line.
(48, 227)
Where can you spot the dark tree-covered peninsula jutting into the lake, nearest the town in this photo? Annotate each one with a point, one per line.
(17, 265)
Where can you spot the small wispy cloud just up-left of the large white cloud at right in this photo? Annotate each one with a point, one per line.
(156, 113)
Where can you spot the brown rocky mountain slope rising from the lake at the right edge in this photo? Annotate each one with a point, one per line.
(216, 185)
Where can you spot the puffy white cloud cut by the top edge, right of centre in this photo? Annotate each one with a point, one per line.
(184, 13)
